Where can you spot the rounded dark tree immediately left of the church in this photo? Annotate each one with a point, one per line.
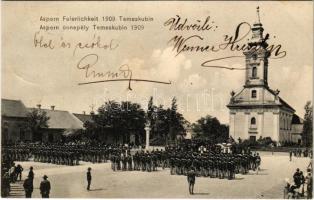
(210, 128)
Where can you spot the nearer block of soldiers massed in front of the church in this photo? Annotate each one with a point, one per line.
(209, 162)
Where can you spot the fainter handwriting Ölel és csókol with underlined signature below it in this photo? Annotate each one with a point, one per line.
(88, 63)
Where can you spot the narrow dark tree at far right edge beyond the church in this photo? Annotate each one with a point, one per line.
(307, 133)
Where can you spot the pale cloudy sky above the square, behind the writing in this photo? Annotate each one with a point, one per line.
(38, 75)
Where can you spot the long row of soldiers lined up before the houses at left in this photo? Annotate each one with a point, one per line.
(60, 154)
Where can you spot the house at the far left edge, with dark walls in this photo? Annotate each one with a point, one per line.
(13, 121)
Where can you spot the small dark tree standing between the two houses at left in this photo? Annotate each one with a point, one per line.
(37, 119)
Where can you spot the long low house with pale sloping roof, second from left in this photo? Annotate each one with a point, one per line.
(60, 123)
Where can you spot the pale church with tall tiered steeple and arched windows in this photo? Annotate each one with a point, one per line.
(257, 110)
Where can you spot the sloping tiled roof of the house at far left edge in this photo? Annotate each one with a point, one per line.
(13, 108)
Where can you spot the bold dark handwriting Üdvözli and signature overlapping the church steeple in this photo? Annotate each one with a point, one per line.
(233, 43)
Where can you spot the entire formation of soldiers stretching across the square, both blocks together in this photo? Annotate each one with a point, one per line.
(207, 160)
